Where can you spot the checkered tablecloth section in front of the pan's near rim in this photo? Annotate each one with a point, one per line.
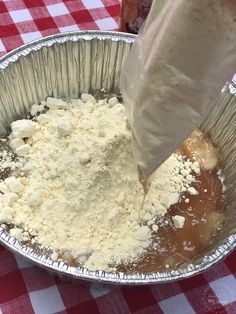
(27, 289)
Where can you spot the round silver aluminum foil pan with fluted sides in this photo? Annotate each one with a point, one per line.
(66, 65)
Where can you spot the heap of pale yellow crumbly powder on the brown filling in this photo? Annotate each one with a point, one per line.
(79, 192)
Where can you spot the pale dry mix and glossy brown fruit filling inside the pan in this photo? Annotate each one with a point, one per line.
(69, 187)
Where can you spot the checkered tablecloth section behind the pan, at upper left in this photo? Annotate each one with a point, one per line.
(22, 21)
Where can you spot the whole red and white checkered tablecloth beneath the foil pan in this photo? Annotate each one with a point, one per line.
(25, 288)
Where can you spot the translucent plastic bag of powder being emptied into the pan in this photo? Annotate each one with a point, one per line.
(174, 73)
